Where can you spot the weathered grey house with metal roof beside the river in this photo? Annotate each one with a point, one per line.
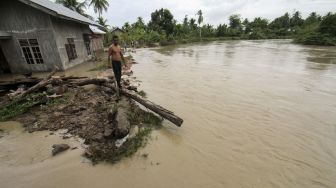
(37, 35)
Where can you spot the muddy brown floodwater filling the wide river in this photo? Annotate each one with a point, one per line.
(256, 114)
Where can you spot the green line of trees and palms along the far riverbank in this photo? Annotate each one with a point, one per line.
(164, 29)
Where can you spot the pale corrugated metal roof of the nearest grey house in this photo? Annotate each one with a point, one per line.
(59, 11)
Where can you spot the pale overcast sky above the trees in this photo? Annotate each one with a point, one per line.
(214, 11)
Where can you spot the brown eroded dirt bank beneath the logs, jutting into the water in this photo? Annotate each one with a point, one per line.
(113, 126)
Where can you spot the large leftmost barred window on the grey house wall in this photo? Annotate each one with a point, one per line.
(31, 51)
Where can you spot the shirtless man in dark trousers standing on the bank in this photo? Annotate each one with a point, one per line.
(117, 56)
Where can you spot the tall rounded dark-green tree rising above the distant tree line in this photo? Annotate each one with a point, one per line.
(162, 21)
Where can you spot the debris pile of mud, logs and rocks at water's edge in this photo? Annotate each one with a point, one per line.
(113, 125)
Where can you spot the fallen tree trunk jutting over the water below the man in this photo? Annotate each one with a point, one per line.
(169, 115)
